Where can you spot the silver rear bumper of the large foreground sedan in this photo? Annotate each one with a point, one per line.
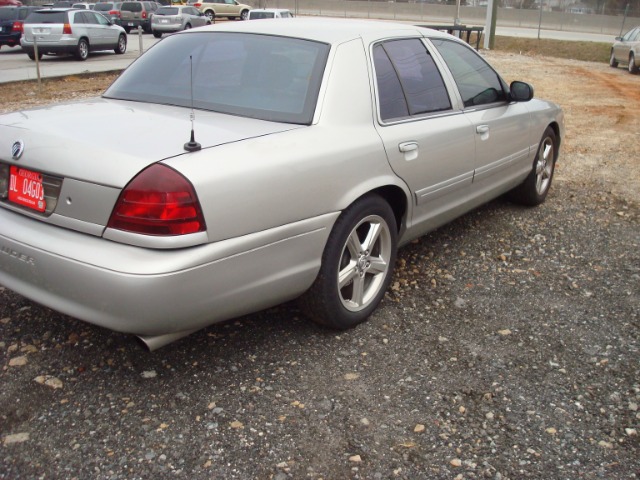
(156, 292)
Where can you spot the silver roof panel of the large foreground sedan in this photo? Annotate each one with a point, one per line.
(326, 30)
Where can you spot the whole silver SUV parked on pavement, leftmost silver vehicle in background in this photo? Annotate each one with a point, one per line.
(70, 31)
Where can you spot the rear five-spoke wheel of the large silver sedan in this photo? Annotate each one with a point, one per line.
(357, 265)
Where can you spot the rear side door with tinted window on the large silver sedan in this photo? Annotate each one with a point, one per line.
(428, 141)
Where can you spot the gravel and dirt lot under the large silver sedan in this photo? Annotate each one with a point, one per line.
(508, 347)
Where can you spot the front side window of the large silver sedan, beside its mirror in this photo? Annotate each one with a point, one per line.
(477, 82)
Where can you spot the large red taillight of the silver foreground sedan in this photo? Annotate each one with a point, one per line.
(158, 201)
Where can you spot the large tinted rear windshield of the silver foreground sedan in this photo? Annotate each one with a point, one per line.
(259, 76)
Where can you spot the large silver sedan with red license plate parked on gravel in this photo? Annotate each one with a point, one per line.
(260, 162)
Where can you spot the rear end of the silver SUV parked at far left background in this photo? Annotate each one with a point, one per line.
(51, 30)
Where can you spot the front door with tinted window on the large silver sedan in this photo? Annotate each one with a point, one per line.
(501, 128)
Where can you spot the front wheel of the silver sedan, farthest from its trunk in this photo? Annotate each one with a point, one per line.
(533, 191)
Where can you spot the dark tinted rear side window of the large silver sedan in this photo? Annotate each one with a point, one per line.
(409, 82)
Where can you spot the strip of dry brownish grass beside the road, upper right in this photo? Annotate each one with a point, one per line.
(585, 51)
